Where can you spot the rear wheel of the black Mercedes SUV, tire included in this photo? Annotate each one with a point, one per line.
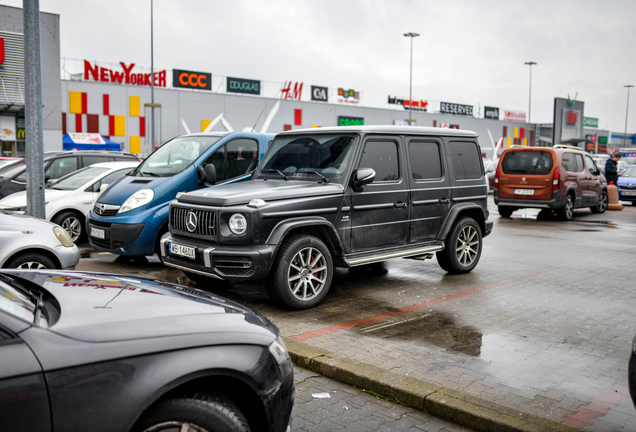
(462, 247)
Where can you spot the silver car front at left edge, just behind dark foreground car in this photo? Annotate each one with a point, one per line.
(28, 242)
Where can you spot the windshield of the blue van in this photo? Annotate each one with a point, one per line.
(176, 155)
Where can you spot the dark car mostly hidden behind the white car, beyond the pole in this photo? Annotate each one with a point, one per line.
(57, 165)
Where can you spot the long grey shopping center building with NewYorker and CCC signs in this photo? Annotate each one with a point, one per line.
(116, 100)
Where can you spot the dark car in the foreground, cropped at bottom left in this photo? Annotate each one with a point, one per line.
(105, 353)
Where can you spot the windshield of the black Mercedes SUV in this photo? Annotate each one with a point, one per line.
(308, 156)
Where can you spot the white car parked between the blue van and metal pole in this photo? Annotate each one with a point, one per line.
(69, 199)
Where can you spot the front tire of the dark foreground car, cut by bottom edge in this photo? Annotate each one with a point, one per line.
(199, 413)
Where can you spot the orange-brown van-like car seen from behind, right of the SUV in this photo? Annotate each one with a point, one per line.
(559, 178)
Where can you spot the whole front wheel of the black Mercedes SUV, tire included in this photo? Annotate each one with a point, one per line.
(301, 275)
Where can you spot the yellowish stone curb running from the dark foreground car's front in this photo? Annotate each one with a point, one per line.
(455, 406)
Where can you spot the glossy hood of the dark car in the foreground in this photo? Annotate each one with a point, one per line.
(107, 308)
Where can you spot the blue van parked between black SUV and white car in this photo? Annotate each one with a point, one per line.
(131, 215)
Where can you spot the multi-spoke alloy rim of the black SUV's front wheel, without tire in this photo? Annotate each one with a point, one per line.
(307, 273)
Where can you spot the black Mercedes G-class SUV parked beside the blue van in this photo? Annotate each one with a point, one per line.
(338, 196)
